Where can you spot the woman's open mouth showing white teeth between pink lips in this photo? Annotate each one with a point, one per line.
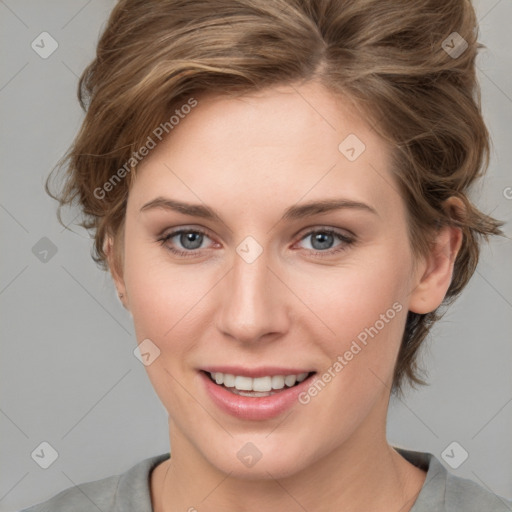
(257, 387)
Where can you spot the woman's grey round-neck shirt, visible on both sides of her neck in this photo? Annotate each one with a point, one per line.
(130, 491)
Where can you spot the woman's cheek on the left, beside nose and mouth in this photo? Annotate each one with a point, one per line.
(165, 303)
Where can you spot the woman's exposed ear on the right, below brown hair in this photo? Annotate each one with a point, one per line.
(436, 270)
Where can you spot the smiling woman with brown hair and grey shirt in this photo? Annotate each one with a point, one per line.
(279, 190)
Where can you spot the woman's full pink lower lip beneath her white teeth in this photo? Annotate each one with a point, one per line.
(253, 408)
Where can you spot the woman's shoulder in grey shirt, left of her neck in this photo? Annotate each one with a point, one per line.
(127, 491)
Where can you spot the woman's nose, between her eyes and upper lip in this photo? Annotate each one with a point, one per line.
(253, 302)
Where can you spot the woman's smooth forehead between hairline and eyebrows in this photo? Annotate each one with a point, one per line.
(269, 148)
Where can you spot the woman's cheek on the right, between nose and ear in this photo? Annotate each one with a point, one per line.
(362, 308)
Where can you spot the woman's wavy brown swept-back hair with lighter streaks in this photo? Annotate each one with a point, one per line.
(399, 61)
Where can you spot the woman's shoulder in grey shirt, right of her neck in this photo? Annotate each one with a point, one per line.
(444, 492)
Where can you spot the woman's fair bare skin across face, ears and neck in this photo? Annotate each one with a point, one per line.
(250, 158)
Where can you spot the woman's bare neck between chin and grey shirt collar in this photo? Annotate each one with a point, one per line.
(364, 473)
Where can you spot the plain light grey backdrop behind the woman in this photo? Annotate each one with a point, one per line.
(68, 373)
